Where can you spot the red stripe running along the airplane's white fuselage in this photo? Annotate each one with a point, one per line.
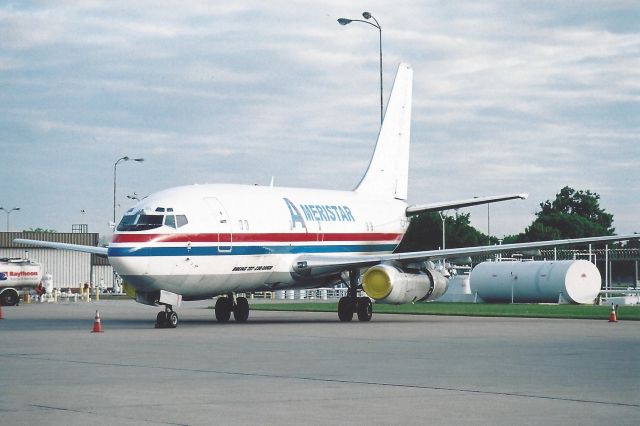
(254, 238)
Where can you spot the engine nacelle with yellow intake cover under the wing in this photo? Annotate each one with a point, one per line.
(389, 284)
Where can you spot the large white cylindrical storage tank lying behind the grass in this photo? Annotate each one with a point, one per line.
(574, 281)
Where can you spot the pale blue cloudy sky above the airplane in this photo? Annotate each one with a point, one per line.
(508, 97)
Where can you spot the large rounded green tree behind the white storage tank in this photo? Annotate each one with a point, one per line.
(573, 214)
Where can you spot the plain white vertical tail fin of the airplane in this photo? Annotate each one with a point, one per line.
(388, 172)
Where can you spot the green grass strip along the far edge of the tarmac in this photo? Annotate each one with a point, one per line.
(471, 309)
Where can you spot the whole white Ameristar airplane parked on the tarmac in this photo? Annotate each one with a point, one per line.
(201, 241)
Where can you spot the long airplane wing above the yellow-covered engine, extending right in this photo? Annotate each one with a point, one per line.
(319, 264)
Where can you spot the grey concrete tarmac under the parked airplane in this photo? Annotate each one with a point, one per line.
(308, 368)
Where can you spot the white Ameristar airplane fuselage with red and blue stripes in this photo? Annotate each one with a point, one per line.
(204, 240)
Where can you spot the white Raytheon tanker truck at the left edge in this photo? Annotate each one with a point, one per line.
(17, 276)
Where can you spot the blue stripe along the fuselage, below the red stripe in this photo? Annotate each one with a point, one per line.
(246, 250)
